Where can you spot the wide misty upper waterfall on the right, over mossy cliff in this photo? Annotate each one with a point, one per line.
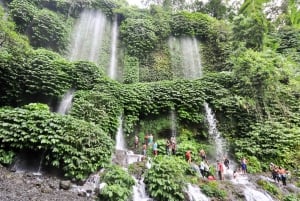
(185, 57)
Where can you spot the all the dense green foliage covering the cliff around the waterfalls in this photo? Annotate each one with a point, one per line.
(251, 80)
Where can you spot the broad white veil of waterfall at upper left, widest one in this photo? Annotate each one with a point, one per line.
(87, 36)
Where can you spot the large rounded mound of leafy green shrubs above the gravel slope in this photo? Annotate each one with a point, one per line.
(76, 150)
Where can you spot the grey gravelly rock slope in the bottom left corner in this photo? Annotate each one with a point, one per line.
(29, 187)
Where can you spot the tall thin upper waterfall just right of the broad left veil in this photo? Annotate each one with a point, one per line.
(113, 55)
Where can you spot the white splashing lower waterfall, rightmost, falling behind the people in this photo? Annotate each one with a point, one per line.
(219, 142)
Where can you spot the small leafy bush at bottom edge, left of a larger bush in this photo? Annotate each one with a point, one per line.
(118, 184)
